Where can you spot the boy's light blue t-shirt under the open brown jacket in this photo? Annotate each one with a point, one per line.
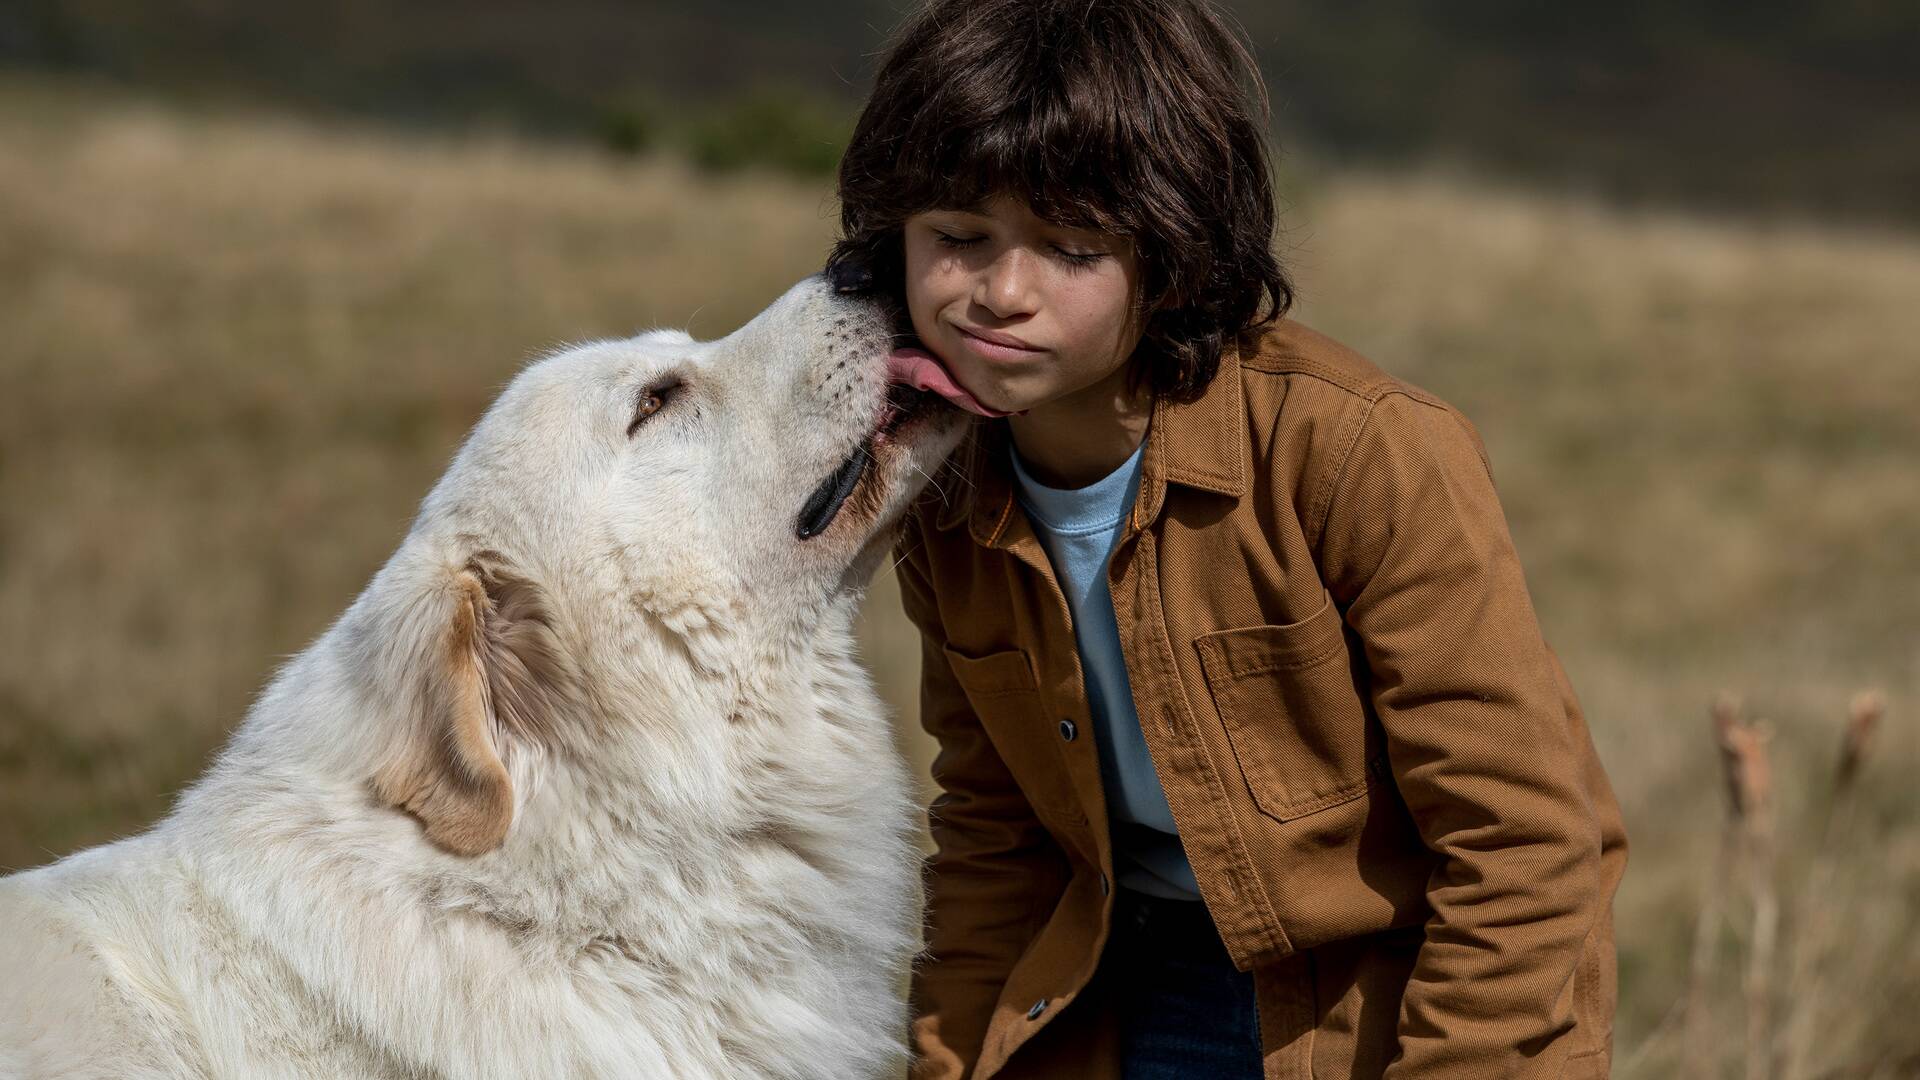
(1078, 528)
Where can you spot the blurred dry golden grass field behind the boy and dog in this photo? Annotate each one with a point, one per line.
(237, 351)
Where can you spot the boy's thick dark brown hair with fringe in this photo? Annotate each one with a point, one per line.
(1141, 118)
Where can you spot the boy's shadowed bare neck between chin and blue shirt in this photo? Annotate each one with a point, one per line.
(1086, 435)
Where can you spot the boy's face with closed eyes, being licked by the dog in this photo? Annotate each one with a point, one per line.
(1022, 312)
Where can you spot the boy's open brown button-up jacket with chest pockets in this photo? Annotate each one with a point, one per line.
(1380, 772)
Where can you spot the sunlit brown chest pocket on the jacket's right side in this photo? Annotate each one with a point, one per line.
(1291, 710)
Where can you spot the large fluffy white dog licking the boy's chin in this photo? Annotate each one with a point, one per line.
(587, 783)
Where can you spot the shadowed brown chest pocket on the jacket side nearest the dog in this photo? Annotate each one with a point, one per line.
(1007, 699)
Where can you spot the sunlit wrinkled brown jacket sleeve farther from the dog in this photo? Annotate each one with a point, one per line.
(1479, 741)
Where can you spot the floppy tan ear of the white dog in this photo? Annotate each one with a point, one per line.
(491, 689)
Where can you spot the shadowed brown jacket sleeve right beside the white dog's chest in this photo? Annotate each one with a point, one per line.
(996, 871)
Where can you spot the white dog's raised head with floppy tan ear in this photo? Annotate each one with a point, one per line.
(621, 504)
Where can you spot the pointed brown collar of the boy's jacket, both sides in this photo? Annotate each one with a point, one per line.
(1199, 445)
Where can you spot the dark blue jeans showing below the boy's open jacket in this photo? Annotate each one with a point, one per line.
(1186, 1012)
